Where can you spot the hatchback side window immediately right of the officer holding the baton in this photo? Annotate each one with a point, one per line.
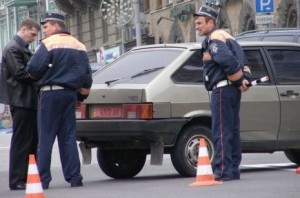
(255, 60)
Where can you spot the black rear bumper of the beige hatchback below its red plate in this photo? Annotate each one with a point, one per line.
(129, 130)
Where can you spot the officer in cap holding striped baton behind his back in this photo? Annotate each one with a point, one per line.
(226, 75)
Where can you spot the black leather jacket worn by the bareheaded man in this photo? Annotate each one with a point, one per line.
(16, 86)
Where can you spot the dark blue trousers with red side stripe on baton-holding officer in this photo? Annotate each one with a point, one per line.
(225, 106)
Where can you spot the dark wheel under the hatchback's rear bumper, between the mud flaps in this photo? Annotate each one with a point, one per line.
(120, 164)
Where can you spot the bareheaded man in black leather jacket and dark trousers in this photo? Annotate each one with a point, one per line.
(19, 91)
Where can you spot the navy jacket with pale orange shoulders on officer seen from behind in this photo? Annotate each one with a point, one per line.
(61, 60)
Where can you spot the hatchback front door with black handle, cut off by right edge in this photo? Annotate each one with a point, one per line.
(286, 63)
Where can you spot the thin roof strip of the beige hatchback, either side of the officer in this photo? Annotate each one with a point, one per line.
(195, 46)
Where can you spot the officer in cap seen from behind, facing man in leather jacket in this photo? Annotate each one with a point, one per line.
(61, 67)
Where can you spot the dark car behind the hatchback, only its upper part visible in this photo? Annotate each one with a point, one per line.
(273, 34)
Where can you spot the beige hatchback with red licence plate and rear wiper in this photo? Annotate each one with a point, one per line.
(152, 100)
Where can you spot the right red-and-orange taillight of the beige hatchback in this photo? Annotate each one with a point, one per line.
(137, 111)
